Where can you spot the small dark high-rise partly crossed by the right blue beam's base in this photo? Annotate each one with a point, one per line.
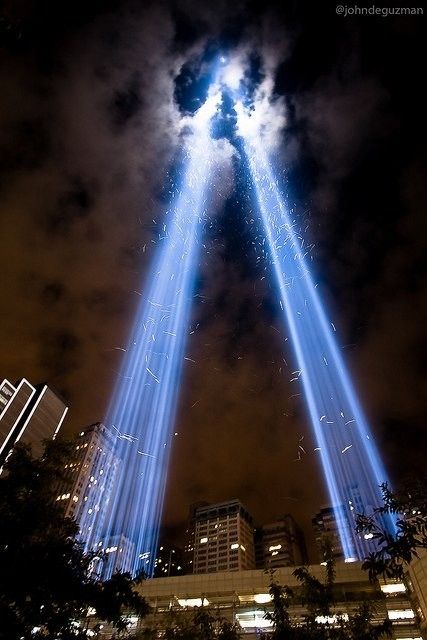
(326, 524)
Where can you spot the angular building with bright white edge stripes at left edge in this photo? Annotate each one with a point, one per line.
(29, 414)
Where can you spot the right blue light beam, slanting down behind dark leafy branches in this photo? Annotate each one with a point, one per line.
(350, 460)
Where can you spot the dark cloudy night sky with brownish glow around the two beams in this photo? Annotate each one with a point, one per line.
(92, 98)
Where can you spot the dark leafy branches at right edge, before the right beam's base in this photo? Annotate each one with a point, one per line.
(396, 550)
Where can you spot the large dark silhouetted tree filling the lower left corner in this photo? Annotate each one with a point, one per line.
(46, 586)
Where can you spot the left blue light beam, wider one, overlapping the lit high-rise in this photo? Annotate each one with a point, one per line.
(143, 406)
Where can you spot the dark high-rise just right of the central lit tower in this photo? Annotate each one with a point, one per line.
(280, 544)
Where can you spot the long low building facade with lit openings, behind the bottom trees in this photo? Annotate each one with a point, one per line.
(243, 598)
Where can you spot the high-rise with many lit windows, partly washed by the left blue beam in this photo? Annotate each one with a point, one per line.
(89, 480)
